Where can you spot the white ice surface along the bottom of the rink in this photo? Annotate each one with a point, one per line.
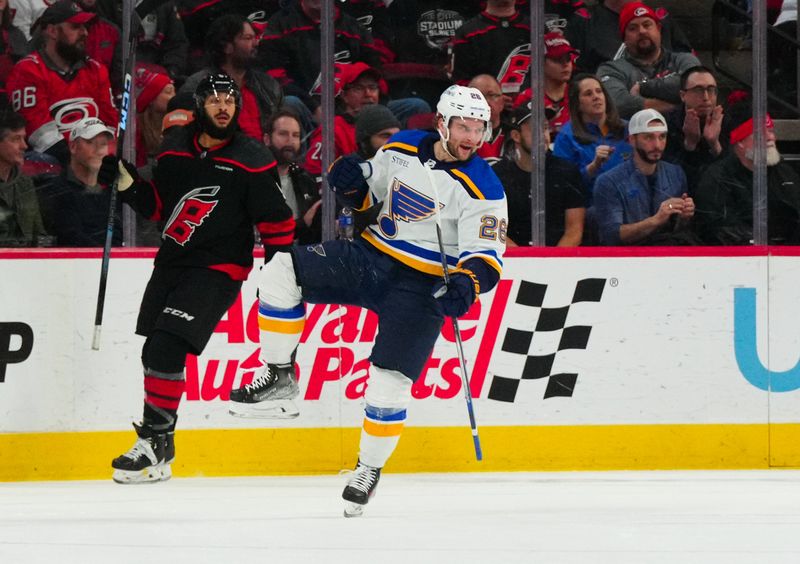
(614, 517)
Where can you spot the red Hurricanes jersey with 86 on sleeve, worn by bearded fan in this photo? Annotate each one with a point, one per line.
(53, 102)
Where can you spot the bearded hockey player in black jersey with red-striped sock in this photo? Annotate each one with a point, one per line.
(211, 184)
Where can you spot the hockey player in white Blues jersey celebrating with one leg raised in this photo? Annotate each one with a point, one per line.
(394, 269)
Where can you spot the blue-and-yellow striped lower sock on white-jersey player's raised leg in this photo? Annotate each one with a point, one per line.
(280, 331)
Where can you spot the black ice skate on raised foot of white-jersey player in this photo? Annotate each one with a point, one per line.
(269, 396)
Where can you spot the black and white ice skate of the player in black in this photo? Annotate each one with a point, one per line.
(145, 461)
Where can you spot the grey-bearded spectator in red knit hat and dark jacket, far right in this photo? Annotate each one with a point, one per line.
(725, 193)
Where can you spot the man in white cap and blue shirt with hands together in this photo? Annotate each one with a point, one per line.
(644, 200)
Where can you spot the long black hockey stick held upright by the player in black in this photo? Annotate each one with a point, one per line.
(127, 85)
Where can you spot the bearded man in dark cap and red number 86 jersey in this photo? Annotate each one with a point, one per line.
(58, 84)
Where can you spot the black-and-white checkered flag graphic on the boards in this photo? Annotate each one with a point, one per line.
(551, 324)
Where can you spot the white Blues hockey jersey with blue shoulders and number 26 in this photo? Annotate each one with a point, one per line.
(471, 198)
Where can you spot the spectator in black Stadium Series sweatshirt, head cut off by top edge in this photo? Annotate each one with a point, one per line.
(422, 31)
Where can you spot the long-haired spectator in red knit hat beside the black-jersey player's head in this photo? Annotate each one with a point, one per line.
(154, 89)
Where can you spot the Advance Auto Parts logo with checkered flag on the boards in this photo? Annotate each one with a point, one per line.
(341, 336)
